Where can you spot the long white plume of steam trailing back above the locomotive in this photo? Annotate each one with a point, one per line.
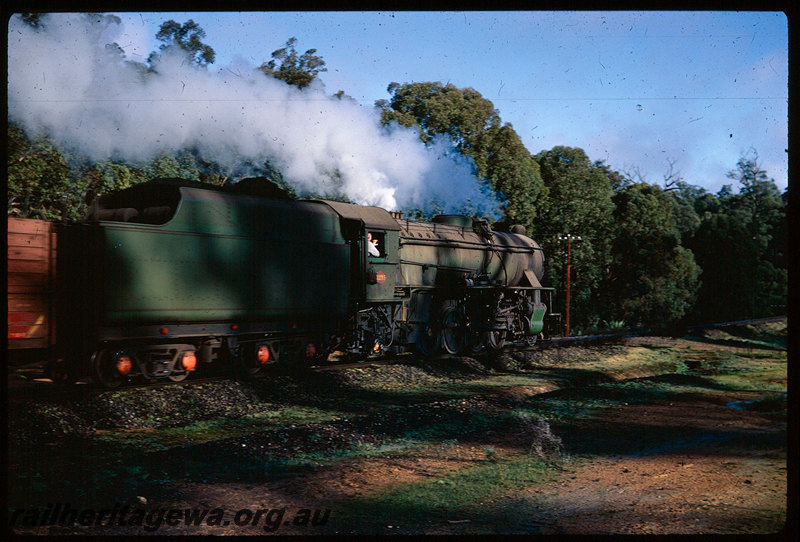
(63, 81)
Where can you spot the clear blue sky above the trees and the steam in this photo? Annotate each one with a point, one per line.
(636, 89)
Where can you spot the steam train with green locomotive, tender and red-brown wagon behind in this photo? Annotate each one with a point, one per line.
(169, 275)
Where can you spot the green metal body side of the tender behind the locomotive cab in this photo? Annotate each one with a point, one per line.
(226, 257)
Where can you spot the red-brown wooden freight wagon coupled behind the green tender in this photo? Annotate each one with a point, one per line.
(31, 267)
